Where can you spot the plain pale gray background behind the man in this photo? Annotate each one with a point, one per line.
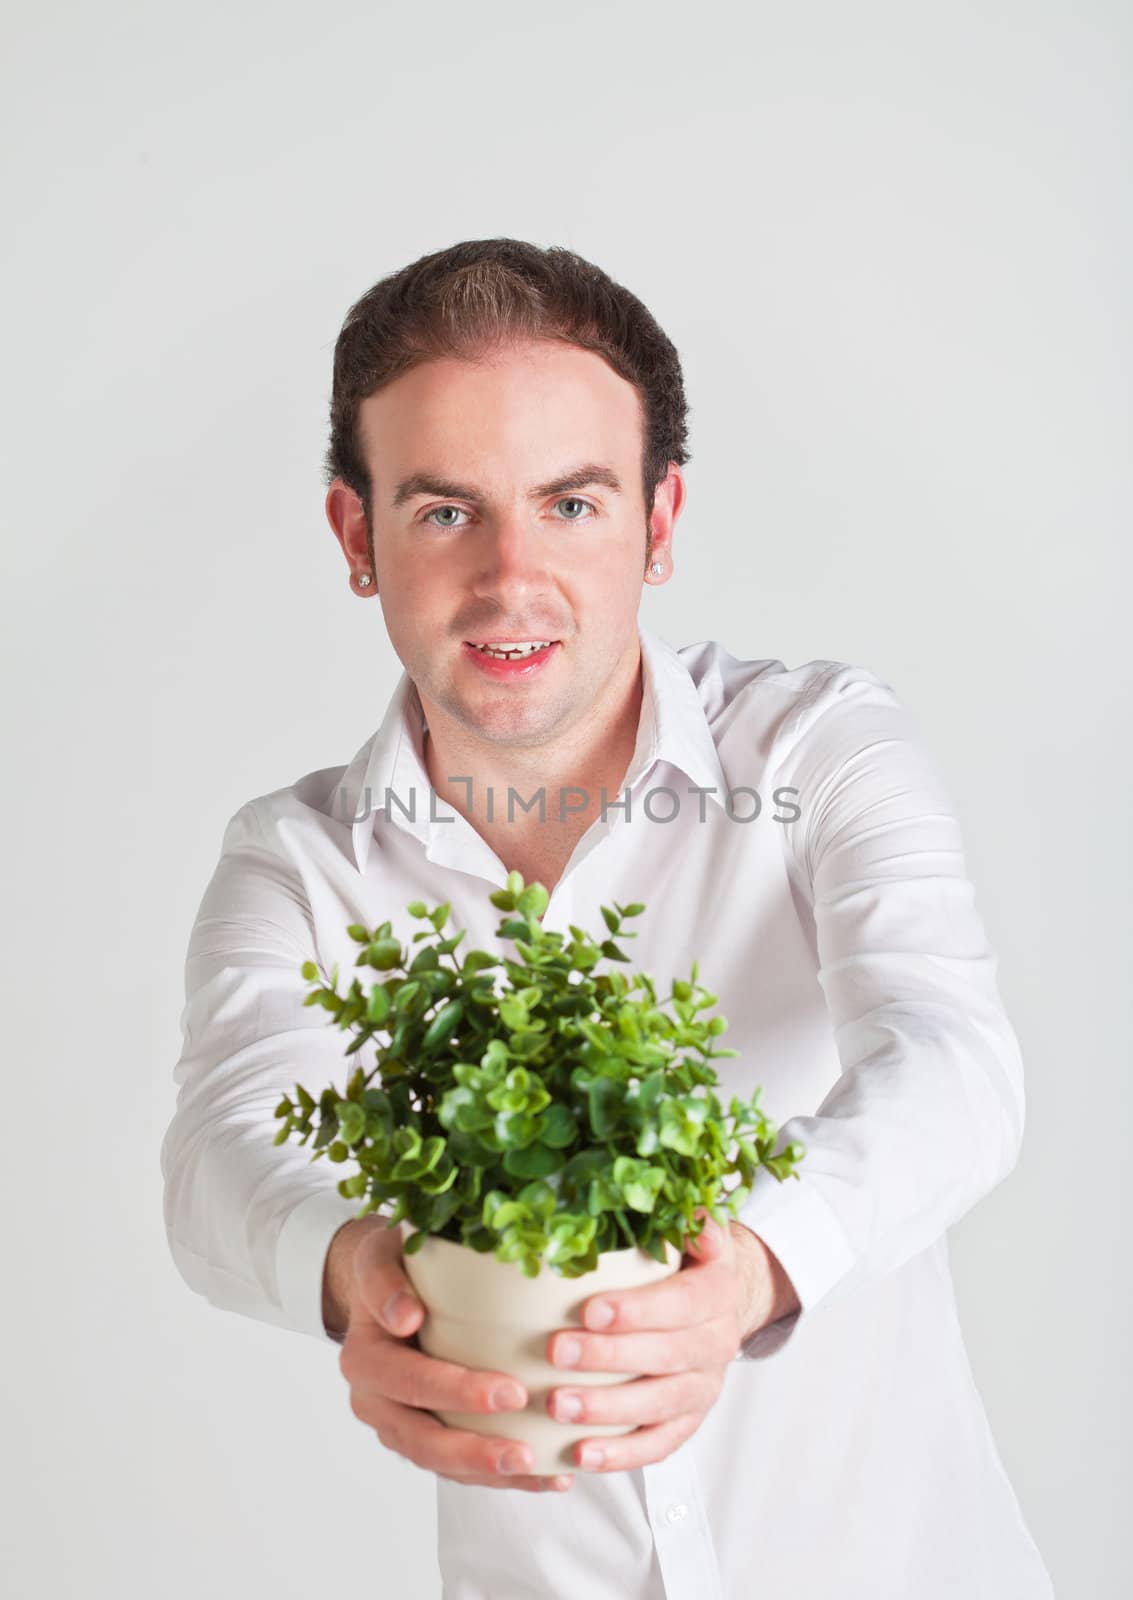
(892, 244)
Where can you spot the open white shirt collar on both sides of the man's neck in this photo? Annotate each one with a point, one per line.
(671, 729)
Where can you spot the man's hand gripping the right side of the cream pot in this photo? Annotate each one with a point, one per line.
(687, 1330)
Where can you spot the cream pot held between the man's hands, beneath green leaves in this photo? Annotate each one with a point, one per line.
(484, 1313)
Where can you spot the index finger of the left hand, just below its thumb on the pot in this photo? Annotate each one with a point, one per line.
(380, 1366)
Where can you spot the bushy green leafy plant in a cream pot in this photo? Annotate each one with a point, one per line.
(551, 1126)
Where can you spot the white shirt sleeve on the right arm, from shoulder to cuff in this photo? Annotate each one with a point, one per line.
(927, 1113)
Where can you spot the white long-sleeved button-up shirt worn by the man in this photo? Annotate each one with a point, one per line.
(849, 1454)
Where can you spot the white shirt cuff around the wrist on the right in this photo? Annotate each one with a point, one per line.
(809, 1242)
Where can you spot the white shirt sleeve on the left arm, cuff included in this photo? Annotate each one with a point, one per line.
(250, 1222)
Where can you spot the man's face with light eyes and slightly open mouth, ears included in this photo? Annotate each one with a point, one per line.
(478, 538)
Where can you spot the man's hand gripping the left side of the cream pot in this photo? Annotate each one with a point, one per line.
(394, 1386)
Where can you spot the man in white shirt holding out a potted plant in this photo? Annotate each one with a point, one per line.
(506, 449)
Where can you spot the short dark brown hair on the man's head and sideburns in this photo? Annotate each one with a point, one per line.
(478, 297)
